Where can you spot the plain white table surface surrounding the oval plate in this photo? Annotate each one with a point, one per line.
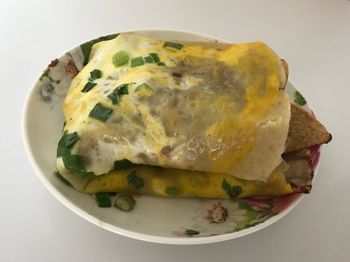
(313, 36)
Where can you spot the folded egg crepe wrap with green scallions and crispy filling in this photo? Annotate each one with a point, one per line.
(185, 119)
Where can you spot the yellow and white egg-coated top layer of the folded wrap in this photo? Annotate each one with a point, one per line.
(209, 109)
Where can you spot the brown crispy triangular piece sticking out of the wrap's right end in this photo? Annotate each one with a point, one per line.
(305, 130)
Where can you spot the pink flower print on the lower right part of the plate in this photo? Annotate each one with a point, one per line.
(216, 217)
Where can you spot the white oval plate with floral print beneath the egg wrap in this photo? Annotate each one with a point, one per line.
(154, 219)
